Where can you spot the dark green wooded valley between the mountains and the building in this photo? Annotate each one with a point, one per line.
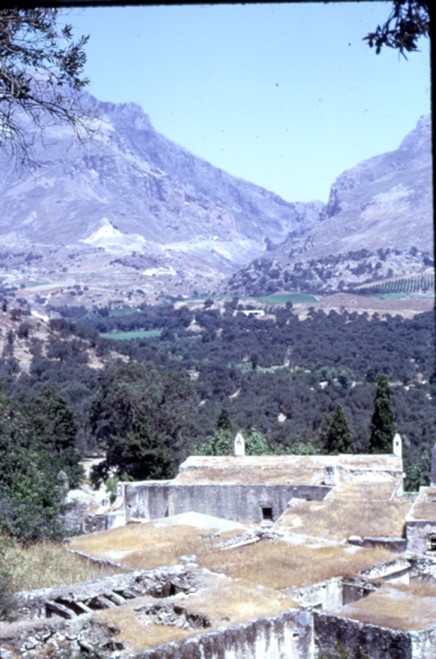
(158, 395)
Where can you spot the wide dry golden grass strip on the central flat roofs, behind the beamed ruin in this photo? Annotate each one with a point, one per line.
(275, 564)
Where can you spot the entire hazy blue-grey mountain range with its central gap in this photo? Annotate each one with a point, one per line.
(127, 212)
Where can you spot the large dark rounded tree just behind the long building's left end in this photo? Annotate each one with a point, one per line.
(142, 419)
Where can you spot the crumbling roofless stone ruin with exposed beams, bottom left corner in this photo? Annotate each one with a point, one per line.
(55, 622)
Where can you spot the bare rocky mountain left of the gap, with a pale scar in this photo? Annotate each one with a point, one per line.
(138, 199)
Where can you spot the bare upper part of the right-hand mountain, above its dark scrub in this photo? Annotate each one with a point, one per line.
(385, 201)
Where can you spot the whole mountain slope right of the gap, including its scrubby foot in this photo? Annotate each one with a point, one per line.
(377, 225)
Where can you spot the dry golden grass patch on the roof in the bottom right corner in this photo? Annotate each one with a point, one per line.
(397, 607)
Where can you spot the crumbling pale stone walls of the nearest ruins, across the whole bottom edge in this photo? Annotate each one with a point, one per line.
(62, 622)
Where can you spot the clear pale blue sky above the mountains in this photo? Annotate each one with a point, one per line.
(286, 96)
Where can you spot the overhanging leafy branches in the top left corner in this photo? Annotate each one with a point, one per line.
(41, 69)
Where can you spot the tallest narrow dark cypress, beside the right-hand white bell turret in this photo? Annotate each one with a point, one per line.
(382, 428)
